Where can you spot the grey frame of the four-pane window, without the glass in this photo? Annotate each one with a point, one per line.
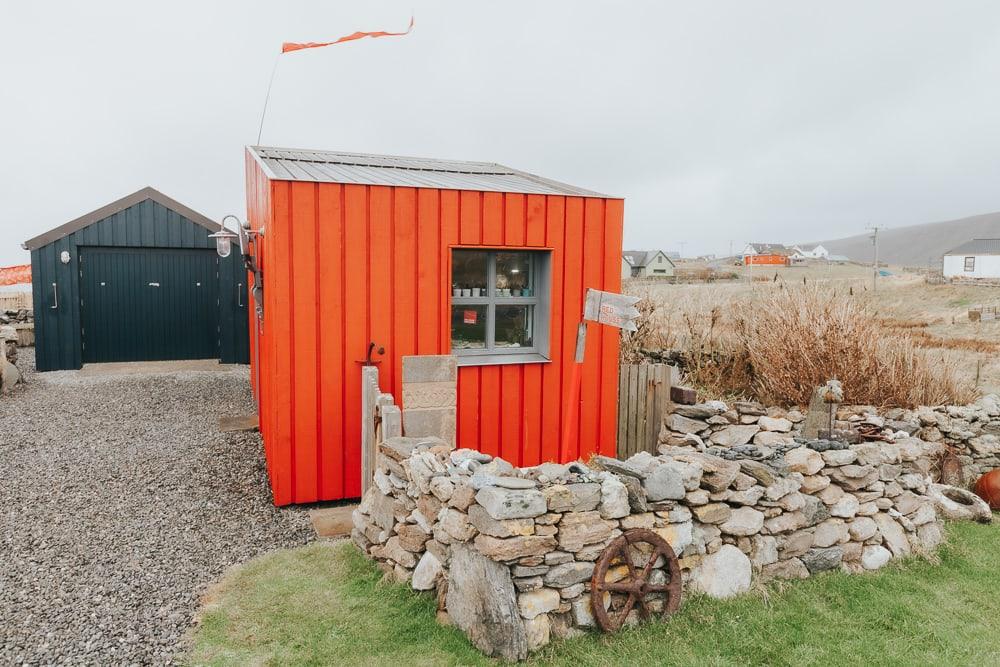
(540, 299)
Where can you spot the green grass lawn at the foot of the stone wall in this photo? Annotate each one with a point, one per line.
(324, 604)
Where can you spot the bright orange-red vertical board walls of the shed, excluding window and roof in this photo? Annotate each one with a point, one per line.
(346, 264)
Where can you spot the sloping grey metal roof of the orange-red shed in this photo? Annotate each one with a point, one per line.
(289, 164)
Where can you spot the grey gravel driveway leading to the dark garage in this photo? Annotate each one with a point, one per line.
(119, 502)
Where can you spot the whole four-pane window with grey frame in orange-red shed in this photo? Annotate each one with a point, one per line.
(499, 305)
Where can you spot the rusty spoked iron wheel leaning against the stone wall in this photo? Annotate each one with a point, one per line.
(637, 588)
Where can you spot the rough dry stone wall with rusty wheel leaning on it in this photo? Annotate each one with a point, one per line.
(511, 551)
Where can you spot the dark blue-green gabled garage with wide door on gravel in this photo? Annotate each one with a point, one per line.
(136, 280)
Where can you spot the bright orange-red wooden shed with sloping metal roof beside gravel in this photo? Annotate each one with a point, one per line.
(424, 256)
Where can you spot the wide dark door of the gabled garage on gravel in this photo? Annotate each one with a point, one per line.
(149, 304)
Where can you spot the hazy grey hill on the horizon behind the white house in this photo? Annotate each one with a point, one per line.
(917, 245)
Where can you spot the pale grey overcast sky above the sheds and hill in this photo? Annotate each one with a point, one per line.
(718, 122)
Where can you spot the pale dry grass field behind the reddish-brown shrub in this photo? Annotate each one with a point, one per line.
(931, 318)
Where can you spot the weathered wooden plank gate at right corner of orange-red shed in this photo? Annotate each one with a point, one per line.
(643, 392)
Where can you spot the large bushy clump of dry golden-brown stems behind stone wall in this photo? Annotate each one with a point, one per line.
(778, 344)
